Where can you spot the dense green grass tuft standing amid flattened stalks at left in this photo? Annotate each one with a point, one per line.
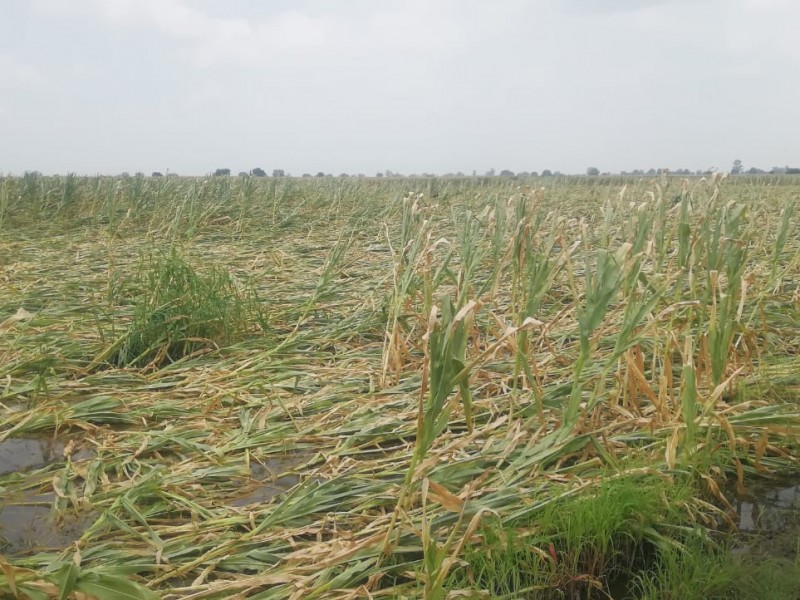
(180, 312)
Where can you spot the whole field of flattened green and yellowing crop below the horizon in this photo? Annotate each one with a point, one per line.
(328, 388)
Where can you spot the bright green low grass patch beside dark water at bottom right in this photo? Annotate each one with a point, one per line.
(578, 545)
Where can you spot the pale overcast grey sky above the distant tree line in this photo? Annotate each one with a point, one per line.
(412, 86)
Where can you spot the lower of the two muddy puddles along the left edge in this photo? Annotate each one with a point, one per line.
(27, 523)
